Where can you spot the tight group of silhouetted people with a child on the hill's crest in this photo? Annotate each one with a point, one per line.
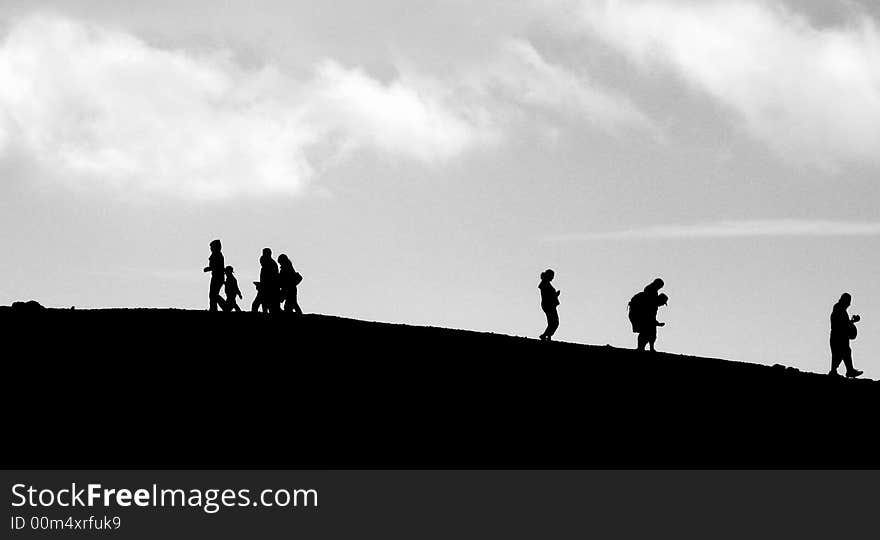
(276, 287)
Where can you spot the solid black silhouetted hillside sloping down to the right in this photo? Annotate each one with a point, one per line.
(174, 388)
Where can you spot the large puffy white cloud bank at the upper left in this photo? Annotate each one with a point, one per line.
(97, 106)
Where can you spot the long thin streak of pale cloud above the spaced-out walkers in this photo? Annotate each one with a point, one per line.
(734, 229)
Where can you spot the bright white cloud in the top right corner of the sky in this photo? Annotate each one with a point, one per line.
(811, 93)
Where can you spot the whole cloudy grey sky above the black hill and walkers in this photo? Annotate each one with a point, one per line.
(423, 161)
